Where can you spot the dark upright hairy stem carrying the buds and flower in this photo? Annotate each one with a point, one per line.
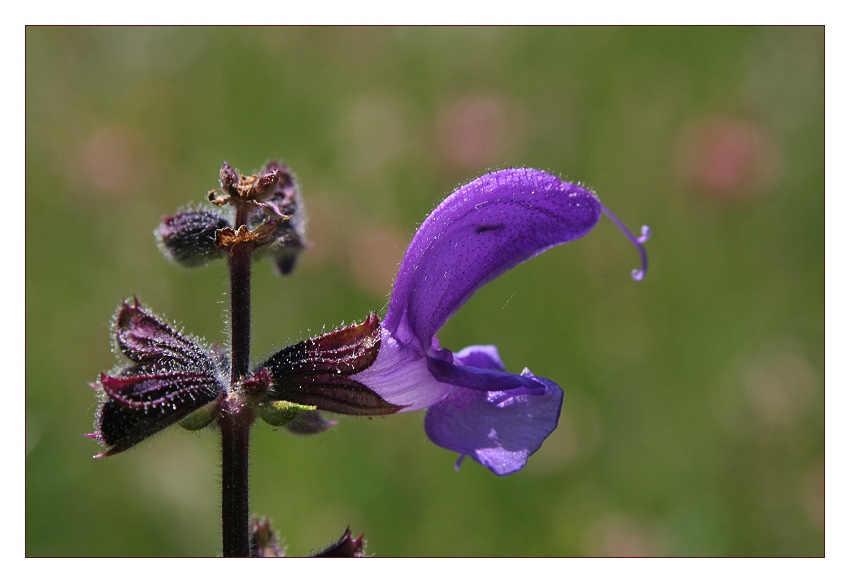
(236, 418)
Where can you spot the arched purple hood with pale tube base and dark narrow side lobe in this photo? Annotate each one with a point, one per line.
(480, 231)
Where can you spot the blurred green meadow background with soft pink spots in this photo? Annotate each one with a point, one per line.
(693, 421)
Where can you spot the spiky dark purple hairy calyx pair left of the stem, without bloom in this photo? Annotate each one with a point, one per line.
(173, 376)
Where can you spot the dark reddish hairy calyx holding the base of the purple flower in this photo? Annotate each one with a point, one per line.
(317, 372)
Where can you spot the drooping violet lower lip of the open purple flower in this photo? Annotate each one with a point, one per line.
(498, 429)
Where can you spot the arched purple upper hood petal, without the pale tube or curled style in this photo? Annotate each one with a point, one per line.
(479, 232)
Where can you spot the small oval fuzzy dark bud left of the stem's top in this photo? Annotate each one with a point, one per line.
(189, 237)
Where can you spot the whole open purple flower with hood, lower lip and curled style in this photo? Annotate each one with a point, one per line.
(479, 232)
